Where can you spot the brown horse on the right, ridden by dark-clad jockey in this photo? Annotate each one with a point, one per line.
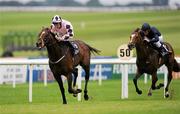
(149, 60)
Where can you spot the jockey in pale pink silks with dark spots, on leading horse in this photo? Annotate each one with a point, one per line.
(63, 31)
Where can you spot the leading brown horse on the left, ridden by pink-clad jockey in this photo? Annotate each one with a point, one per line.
(62, 62)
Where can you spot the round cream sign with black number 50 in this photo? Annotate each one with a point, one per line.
(124, 53)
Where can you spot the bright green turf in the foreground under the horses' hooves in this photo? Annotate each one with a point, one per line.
(104, 99)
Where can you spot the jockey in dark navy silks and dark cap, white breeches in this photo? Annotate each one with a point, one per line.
(154, 37)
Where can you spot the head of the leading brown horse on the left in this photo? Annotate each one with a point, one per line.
(45, 38)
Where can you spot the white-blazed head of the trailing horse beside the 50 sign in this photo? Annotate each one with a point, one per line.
(135, 39)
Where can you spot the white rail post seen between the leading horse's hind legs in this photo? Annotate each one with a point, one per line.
(79, 78)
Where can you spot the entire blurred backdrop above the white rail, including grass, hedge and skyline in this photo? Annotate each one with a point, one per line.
(94, 21)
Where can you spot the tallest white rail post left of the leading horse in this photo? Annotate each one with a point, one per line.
(30, 82)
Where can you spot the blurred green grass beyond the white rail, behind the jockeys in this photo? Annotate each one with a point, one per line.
(103, 30)
